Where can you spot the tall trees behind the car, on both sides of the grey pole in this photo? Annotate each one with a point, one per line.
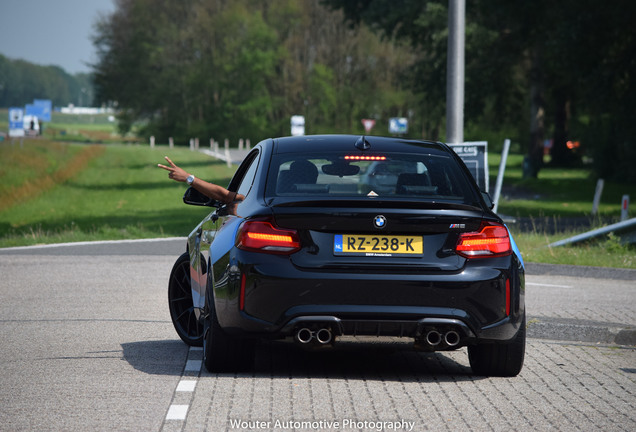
(535, 71)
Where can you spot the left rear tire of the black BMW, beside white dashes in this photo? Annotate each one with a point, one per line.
(221, 352)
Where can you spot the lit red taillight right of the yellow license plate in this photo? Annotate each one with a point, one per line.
(491, 240)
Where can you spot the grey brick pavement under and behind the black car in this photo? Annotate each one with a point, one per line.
(563, 387)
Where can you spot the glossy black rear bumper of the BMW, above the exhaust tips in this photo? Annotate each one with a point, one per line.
(280, 299)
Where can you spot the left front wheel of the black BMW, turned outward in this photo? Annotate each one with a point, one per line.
(182, 313)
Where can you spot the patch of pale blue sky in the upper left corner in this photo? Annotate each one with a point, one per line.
(51, 32)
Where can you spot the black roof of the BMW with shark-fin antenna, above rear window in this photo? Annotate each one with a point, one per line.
(322, 143)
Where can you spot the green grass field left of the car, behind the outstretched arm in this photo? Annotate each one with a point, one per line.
(120, 194)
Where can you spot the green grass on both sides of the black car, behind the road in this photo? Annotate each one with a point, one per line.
(121, 194)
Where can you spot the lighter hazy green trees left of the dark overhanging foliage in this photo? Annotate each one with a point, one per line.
(242, 68)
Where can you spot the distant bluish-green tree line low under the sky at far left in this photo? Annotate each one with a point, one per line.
(22, 81)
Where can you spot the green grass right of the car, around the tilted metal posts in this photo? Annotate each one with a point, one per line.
(561, 195)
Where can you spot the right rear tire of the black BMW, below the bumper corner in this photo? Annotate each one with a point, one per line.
(503, 360)
